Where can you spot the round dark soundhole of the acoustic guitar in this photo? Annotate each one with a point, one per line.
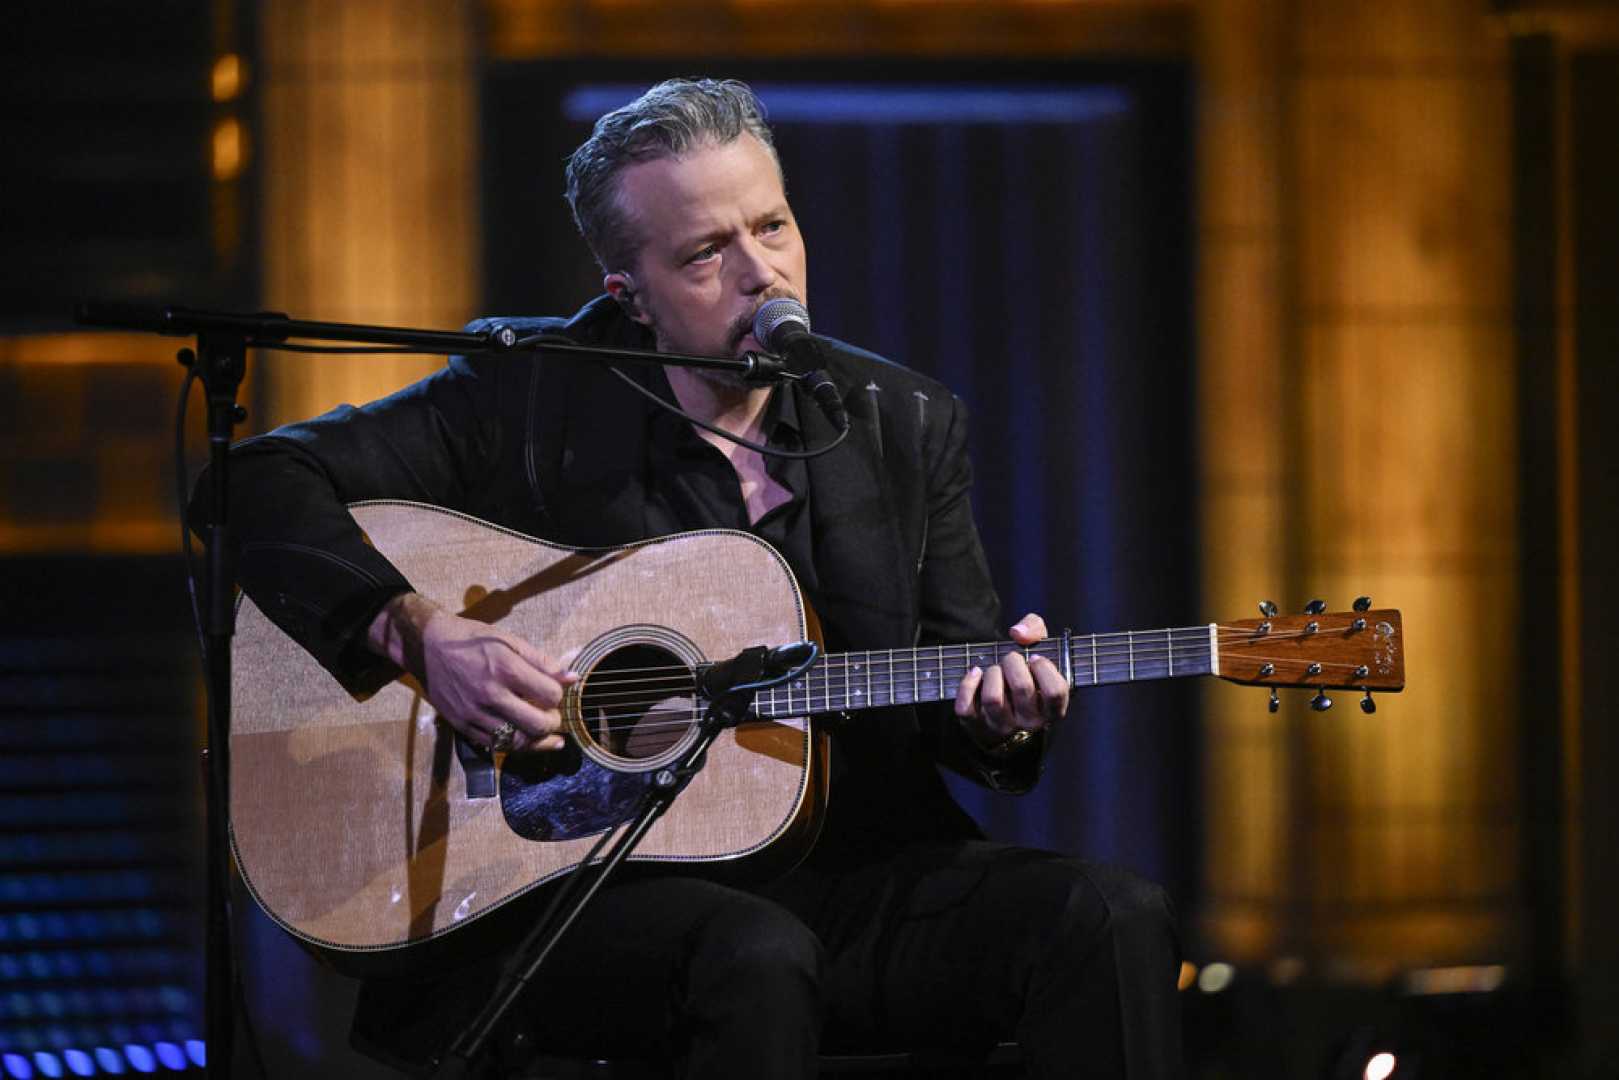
(639, 702)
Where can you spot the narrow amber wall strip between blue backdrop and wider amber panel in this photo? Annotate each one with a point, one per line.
(1244, 453)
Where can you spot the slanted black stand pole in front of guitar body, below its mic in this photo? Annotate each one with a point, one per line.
(585, 883)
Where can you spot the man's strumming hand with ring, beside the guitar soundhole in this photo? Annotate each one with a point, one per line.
(478, 678)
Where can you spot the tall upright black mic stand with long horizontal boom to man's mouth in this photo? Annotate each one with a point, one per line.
(221, 362)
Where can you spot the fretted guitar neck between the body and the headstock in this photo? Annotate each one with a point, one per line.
(885, 678)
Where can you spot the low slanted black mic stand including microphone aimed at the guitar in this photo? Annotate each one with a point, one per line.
(752, 671)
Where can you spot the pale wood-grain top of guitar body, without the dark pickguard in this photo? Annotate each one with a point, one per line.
(351, 819)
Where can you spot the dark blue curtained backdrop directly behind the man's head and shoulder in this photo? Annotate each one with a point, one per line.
(1022, 237)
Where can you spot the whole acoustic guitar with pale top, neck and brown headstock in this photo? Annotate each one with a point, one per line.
(363, 825)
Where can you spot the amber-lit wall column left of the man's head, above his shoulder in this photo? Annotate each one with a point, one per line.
(370, 161)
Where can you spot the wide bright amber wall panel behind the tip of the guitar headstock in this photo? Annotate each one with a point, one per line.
(1403, 223)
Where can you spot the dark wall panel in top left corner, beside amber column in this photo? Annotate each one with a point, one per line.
(106, 163)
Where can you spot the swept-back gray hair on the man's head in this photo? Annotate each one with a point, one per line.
(665, 122)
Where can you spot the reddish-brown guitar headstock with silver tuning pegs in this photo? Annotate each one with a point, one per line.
(1359, 650)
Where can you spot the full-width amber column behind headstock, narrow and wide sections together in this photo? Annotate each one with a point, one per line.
(1393, 836)
